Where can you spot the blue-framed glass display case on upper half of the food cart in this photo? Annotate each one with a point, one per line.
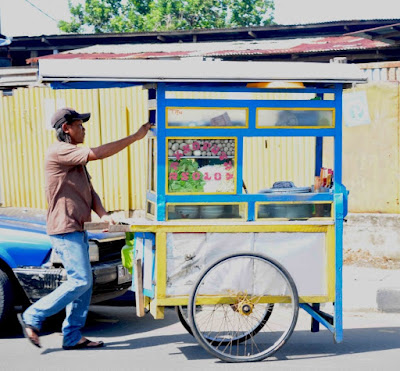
(197, 165)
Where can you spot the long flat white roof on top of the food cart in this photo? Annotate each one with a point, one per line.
(197, 71)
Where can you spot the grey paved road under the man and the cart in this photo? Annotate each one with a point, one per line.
(371, 342)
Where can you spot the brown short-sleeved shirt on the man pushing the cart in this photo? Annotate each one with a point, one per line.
(68, 188)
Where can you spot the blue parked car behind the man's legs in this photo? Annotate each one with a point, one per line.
(30, 269)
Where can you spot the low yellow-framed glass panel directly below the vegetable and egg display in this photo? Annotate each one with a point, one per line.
(208, 211)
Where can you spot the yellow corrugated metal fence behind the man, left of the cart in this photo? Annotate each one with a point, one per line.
(24, 139)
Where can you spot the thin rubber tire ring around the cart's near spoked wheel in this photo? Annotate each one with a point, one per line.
(208, 345)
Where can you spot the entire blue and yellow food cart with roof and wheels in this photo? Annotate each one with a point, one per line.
(237, 265)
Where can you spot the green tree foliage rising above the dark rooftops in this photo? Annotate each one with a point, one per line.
(102, 16)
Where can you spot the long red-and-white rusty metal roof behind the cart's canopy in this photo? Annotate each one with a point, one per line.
(222, 49)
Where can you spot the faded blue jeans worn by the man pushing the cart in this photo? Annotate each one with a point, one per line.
(74, 294)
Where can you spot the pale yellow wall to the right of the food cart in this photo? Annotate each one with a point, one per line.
(371, 153)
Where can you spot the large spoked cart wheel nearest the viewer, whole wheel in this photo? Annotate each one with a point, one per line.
(229, 301)
